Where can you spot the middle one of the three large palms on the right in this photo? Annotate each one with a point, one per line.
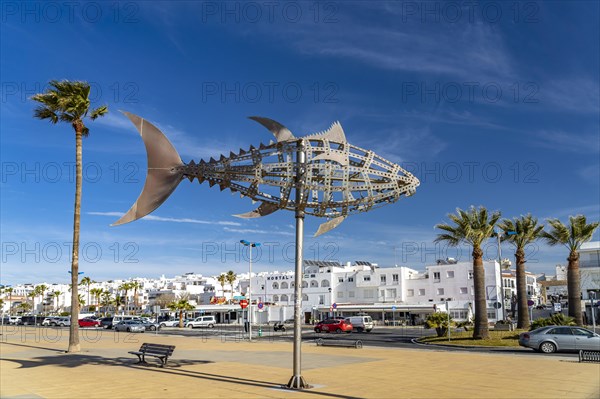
(525, 231)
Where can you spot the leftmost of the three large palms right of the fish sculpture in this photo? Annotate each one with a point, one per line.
(472, 227)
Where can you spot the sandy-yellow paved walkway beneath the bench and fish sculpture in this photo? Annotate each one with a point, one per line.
(33, 365)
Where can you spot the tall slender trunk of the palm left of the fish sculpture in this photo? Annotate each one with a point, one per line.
(74, 327)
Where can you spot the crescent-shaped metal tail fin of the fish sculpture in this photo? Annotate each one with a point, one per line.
(163, 174)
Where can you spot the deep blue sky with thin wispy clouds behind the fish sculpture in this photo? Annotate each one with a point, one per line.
(495, 104)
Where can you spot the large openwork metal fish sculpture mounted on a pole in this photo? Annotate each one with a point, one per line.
(338, 178)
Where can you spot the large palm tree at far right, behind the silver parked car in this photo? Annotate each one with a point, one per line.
(572, 236)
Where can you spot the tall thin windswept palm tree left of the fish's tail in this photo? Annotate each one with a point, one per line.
(69, 102)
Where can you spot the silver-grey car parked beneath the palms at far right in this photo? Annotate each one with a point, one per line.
(551, 339)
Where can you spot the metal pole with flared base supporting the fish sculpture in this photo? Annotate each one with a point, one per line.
(297, 381)
